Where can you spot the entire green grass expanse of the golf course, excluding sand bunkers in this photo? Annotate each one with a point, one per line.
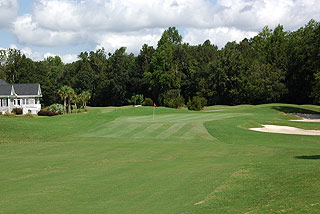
(120, 160)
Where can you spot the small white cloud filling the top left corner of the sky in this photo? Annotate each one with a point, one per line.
(8, 12)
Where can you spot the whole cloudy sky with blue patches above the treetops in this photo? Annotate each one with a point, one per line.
(42, 28)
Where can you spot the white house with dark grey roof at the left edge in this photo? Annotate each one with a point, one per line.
(25, 96)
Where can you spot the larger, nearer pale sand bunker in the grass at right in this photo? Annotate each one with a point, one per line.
(286, 130)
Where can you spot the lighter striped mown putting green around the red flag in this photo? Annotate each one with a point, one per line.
(170, 126)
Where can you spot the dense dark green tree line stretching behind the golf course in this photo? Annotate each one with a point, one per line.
(274, 66)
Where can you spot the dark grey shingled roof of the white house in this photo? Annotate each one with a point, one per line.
(32, 89)
